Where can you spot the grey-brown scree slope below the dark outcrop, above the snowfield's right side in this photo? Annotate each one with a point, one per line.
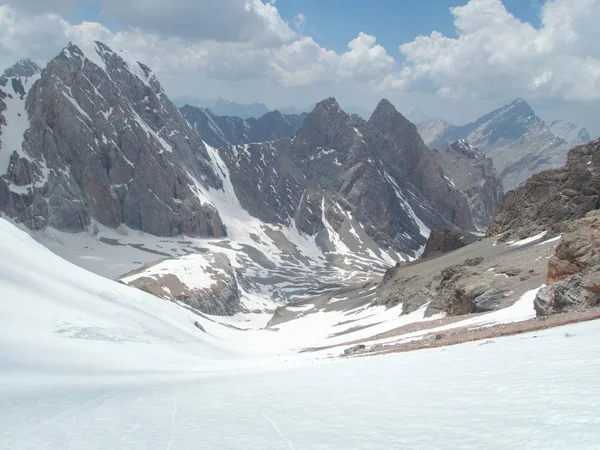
(483, 276)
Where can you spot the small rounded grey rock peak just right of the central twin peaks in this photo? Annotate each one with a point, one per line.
(474, 174)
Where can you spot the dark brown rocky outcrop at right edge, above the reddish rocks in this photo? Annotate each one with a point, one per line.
(552, 198)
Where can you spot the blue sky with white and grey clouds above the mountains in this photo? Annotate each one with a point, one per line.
(455, 59)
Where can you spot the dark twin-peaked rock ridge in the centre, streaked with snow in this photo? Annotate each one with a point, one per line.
(339, 167)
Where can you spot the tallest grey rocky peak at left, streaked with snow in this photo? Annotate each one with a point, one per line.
(105, 143)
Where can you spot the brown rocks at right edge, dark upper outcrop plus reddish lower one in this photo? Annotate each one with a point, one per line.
(563, 201)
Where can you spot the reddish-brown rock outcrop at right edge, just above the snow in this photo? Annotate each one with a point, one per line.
(574, 269)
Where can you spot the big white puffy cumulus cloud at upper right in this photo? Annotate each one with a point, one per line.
(495, 53)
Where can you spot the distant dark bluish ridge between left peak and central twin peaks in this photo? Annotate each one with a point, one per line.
(218, 131)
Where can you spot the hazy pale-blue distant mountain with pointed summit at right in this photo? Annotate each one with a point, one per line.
(518, 142)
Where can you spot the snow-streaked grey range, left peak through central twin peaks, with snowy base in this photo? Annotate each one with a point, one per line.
(109, 173)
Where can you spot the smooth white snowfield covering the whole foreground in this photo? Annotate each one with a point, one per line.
(89, 363)
